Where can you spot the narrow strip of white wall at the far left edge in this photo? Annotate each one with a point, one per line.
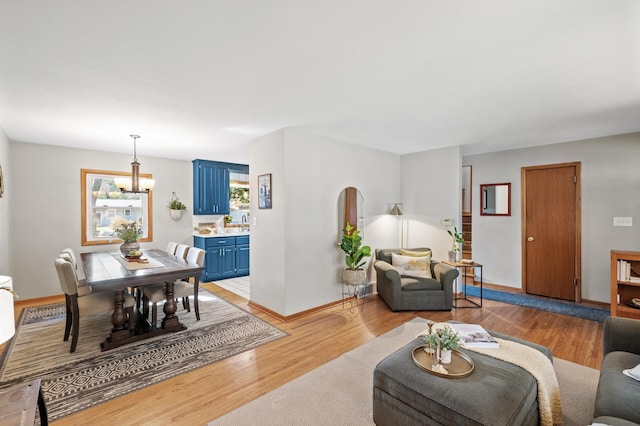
(5, 206)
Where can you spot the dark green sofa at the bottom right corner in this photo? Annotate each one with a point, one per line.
(618, 396)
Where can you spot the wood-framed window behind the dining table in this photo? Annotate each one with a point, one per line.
(106, 206)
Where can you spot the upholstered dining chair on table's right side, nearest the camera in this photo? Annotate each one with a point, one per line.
(155, 293)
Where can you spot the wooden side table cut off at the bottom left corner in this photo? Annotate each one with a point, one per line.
(18, 404)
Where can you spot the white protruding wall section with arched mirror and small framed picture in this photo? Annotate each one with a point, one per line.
(295, 260)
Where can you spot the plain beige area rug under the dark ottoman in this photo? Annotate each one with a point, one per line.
(340, 392)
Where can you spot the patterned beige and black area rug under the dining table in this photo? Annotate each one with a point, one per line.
(76, 381)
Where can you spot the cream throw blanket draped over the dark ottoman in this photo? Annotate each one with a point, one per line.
(540, 367)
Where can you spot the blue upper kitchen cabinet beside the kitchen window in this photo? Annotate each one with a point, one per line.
(210, 187)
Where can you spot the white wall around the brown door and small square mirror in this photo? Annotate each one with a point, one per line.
(610, 187)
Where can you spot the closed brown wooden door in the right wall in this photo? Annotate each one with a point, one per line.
(551, 230)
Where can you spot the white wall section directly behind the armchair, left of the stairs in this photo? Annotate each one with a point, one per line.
(431, 190)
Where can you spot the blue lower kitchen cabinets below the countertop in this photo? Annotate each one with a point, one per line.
(221, 259)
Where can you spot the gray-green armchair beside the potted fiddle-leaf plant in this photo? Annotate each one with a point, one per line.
(410, 293)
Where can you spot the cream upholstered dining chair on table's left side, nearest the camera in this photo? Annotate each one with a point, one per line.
(89, 304)
